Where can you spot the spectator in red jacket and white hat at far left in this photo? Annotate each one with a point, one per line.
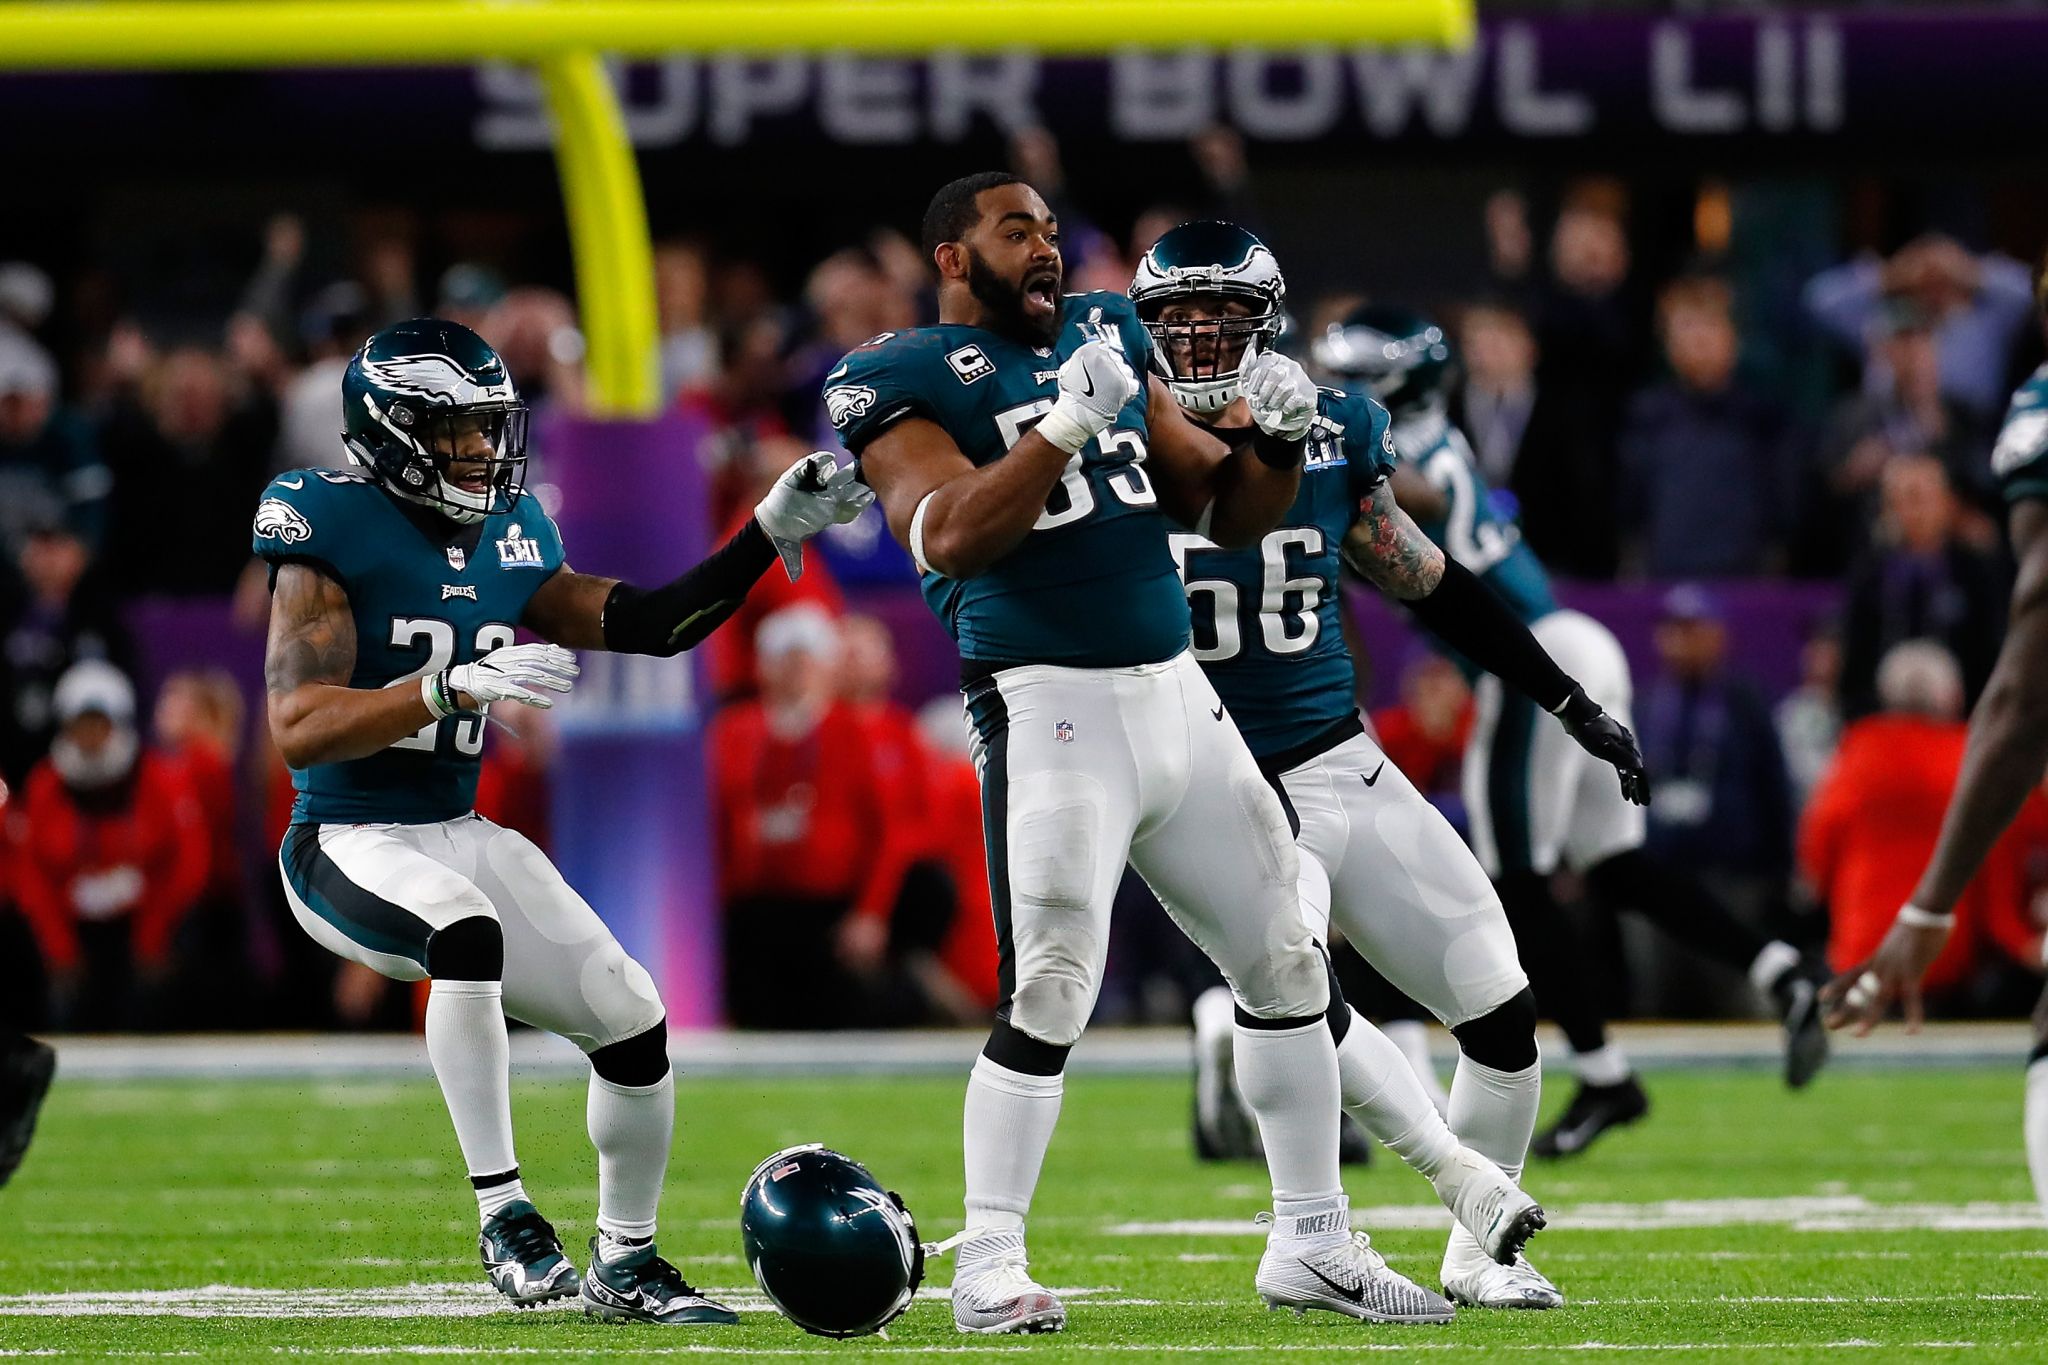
(114, 854)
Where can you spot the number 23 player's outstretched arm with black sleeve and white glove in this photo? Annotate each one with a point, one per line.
(585, 611)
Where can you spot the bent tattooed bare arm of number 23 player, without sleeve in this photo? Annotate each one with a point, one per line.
(316, 717)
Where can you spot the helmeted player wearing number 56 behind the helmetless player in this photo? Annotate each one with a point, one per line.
(1375, 858)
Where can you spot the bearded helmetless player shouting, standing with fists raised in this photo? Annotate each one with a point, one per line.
(1033, 476)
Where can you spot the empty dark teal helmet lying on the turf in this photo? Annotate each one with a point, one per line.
(828, 1245)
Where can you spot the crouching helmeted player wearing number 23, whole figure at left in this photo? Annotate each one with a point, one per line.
(396, 595)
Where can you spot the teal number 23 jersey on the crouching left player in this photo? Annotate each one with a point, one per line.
(425, 597)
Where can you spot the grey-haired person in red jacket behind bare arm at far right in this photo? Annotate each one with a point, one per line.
(1875, 818)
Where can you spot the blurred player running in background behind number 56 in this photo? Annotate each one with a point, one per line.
(1535, 799)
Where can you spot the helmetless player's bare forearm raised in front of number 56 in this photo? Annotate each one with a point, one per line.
(1230, 496)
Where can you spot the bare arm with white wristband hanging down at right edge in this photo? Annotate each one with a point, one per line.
(2004, 760)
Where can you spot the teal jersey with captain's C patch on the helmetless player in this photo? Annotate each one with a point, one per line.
(1093, 584)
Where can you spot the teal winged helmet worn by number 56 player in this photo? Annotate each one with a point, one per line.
(1207, 267)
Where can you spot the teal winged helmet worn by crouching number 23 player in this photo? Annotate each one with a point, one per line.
(431, 410)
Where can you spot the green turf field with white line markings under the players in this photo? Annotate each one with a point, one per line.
(1879, 1217)
